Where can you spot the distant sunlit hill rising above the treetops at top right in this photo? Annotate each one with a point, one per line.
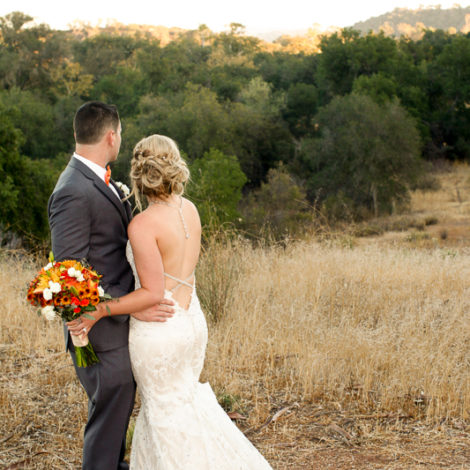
(403, 21)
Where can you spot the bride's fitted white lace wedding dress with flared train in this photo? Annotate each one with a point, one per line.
(180, 425)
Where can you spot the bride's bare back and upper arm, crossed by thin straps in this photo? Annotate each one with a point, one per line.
(166, 242)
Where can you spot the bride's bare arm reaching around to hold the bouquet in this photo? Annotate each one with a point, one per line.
(149, 266)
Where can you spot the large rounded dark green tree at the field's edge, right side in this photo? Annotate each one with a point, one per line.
(367, 153)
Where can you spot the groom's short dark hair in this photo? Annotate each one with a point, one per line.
(92, 120)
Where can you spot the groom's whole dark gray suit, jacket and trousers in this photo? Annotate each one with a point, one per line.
(89, 222)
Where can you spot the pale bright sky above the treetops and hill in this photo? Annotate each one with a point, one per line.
(255, 15)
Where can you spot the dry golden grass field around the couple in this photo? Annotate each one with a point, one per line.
(337, 353)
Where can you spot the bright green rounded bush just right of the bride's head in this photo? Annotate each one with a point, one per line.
(216, 187)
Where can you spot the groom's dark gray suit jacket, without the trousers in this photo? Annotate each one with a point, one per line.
(88, 221)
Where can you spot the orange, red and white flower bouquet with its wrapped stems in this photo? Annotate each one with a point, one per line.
(67, 290)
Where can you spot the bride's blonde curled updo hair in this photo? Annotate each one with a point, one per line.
(157, 169)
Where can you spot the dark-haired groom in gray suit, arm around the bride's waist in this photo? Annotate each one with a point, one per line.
(88, 220)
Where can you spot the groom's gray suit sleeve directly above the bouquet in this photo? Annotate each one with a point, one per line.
(69, 220)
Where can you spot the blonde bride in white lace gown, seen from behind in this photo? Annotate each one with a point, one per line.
(180, 425)
